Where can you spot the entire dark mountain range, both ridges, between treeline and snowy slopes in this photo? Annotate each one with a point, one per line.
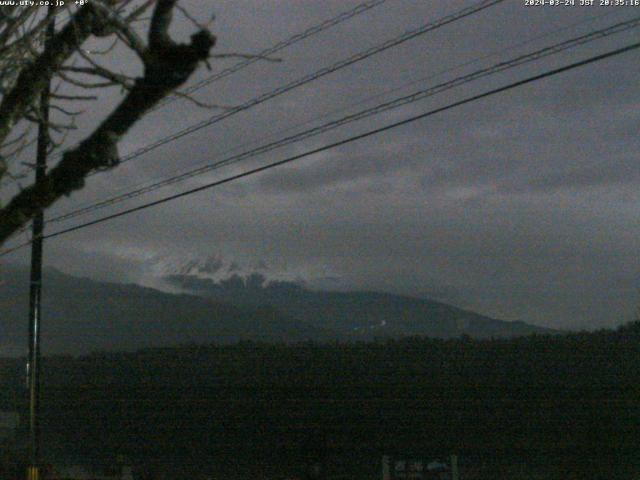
(82, 315)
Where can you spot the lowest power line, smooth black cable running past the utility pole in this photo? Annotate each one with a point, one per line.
(351, 139)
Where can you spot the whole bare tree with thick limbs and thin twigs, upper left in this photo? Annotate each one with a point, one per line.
(26, 67)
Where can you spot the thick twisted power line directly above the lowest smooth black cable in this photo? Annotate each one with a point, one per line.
(395, 103)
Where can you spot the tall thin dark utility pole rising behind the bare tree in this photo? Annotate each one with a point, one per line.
(35, 291)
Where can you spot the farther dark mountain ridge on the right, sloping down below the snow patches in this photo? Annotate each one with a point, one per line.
(354, 315)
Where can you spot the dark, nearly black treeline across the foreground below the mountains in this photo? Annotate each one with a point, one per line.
(565, 405)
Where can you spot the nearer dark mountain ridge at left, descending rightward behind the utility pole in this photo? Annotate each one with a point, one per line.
(81, 315)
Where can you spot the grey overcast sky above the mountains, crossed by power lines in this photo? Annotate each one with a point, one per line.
(524, 205)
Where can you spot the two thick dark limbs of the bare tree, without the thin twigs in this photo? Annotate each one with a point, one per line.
(167, 65)
